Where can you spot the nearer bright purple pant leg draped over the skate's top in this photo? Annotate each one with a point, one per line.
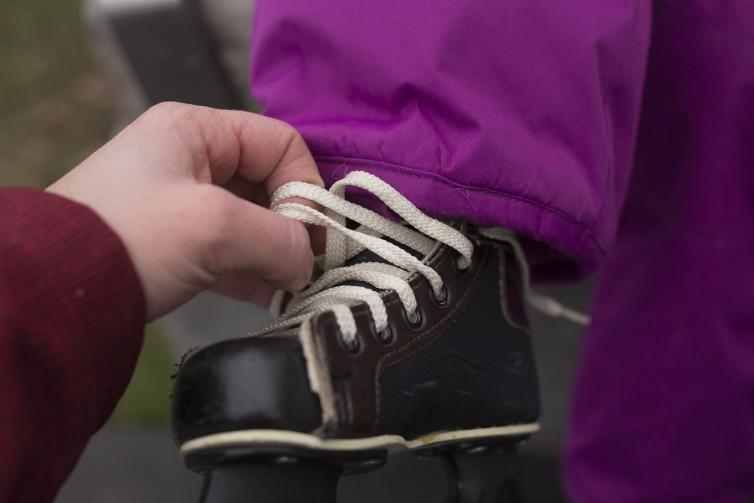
(477, 109)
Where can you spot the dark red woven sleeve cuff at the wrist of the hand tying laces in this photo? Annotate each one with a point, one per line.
(71, 326)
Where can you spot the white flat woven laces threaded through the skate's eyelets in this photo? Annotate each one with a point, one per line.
(328, 293)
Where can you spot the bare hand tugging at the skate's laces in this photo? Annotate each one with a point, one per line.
(186, 189)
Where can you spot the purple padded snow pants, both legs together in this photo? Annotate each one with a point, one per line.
(615, 134)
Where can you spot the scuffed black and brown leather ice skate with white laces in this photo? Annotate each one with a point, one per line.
(413, 337)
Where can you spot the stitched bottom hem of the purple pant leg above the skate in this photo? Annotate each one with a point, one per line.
(445, 198)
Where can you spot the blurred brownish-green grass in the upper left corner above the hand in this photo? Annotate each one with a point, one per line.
(54, 108)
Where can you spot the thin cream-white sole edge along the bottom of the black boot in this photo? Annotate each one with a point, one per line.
(392, 443)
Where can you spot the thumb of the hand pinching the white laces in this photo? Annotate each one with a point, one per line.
(251, 238)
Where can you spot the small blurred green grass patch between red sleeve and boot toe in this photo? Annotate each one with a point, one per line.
(147, 399)
